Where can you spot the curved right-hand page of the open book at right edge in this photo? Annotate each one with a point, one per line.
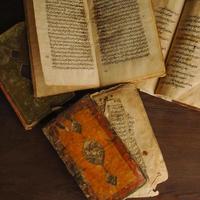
(183, 68)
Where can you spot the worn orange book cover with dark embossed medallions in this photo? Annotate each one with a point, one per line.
(93, 153)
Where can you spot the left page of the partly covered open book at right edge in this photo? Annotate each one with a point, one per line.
(167, 13)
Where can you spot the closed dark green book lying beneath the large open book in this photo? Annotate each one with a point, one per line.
(15, 79)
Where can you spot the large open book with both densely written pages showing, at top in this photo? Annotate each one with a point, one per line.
(83, 44)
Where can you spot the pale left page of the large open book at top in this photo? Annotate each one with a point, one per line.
(64, 43)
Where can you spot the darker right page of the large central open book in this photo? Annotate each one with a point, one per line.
(127, 44)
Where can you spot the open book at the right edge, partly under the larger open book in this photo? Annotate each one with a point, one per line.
(179, 28)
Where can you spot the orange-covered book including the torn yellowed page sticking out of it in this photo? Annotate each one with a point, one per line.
(107, 135)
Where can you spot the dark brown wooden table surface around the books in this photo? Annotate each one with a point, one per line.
(31, 170)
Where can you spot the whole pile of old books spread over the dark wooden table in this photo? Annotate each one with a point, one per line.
(105, 139)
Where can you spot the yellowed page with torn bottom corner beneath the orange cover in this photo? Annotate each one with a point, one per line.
(124, 110)
